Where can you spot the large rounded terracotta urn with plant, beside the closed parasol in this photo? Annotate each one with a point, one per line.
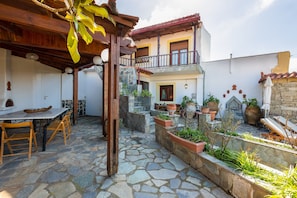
(252, 111)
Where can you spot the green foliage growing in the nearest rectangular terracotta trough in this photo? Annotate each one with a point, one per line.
(193, 135)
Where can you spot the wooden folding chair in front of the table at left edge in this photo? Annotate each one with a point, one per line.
(14, 134)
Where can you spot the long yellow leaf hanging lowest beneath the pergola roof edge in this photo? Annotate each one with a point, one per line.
(72, 44)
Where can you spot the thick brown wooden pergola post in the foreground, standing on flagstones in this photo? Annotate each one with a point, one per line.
(113, 106)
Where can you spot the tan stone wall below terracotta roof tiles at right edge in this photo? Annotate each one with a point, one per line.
(284, 98)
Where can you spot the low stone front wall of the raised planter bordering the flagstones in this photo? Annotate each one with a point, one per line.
(217, 171)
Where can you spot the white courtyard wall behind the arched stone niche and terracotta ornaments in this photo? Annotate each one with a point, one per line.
(244, 72)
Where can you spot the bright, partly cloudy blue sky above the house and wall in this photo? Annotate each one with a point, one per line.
(240, 27)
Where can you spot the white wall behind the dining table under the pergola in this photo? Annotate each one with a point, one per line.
(34, 85)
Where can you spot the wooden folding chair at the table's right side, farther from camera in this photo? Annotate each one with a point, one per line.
(63, 126)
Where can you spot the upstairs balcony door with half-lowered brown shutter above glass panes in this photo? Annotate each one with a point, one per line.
(179, 53)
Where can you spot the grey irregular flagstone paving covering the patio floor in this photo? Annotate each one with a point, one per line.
(78, 169)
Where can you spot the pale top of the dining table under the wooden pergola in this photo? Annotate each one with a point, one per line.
(21, 115)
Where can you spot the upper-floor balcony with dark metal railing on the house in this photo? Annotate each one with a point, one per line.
(183, 63)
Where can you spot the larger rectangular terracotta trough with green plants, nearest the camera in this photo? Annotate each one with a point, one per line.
(192, 139)
